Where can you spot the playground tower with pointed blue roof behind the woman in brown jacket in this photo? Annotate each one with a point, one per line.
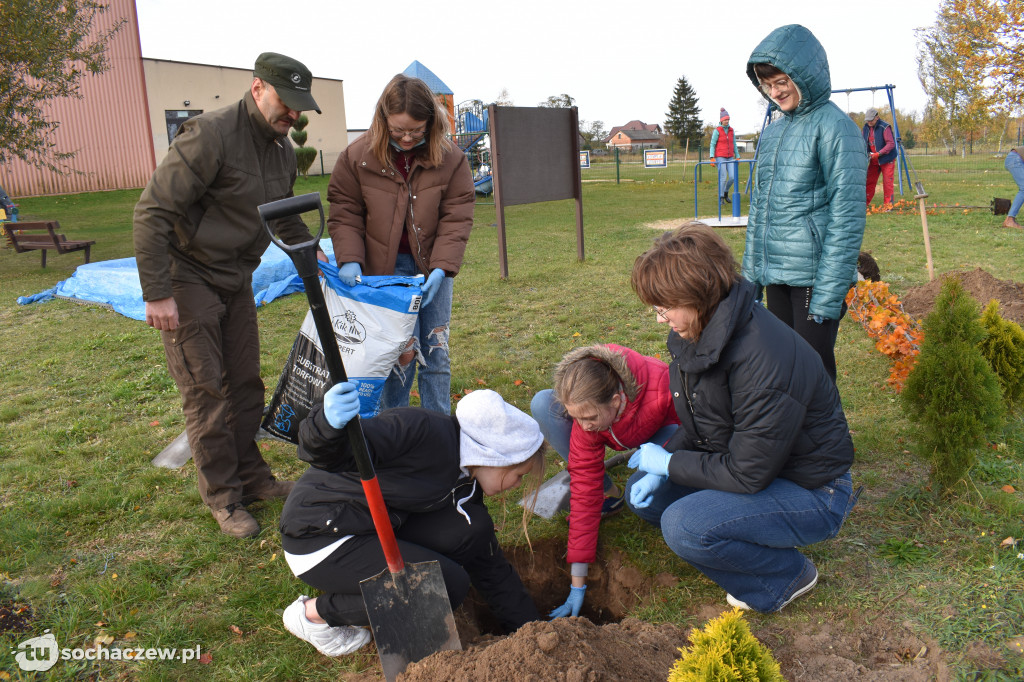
(470, 122)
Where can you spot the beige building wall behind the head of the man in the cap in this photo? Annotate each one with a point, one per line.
(182, 90)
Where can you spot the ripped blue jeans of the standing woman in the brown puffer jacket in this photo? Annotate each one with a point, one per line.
(431, 338)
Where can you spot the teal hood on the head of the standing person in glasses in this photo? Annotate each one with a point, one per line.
(794, 51)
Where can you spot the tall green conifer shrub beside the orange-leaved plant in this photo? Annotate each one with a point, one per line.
(953, 395)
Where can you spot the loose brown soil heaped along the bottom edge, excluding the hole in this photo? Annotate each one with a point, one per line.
(578, 651)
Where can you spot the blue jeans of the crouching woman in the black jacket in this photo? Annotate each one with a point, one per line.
(747, 543)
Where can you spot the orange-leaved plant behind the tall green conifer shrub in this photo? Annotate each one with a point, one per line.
(897, 334)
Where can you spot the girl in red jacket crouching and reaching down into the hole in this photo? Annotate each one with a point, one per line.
(604, 397)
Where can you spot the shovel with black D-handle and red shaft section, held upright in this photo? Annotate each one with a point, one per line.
(408, 606)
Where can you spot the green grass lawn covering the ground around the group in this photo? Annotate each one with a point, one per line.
(99, 543)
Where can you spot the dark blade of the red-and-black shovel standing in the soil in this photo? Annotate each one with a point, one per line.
(410, 616)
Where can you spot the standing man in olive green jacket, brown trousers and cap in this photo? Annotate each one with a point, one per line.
(198, 239)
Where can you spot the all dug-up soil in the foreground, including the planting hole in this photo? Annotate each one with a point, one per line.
(608, 647)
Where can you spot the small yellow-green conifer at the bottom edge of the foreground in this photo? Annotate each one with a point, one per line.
(726, 651)
